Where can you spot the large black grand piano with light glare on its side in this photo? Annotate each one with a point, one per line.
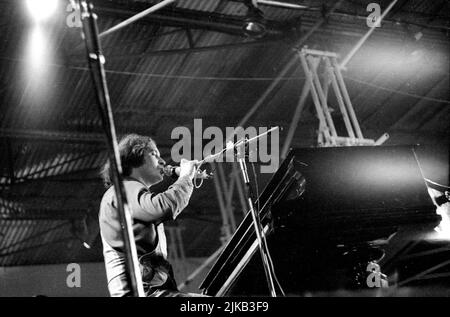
(326, 213)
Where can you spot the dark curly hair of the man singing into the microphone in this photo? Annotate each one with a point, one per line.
(132, 149)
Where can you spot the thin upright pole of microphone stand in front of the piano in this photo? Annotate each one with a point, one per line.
(260, 236)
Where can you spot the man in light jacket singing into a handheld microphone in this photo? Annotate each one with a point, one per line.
(143, 167)
